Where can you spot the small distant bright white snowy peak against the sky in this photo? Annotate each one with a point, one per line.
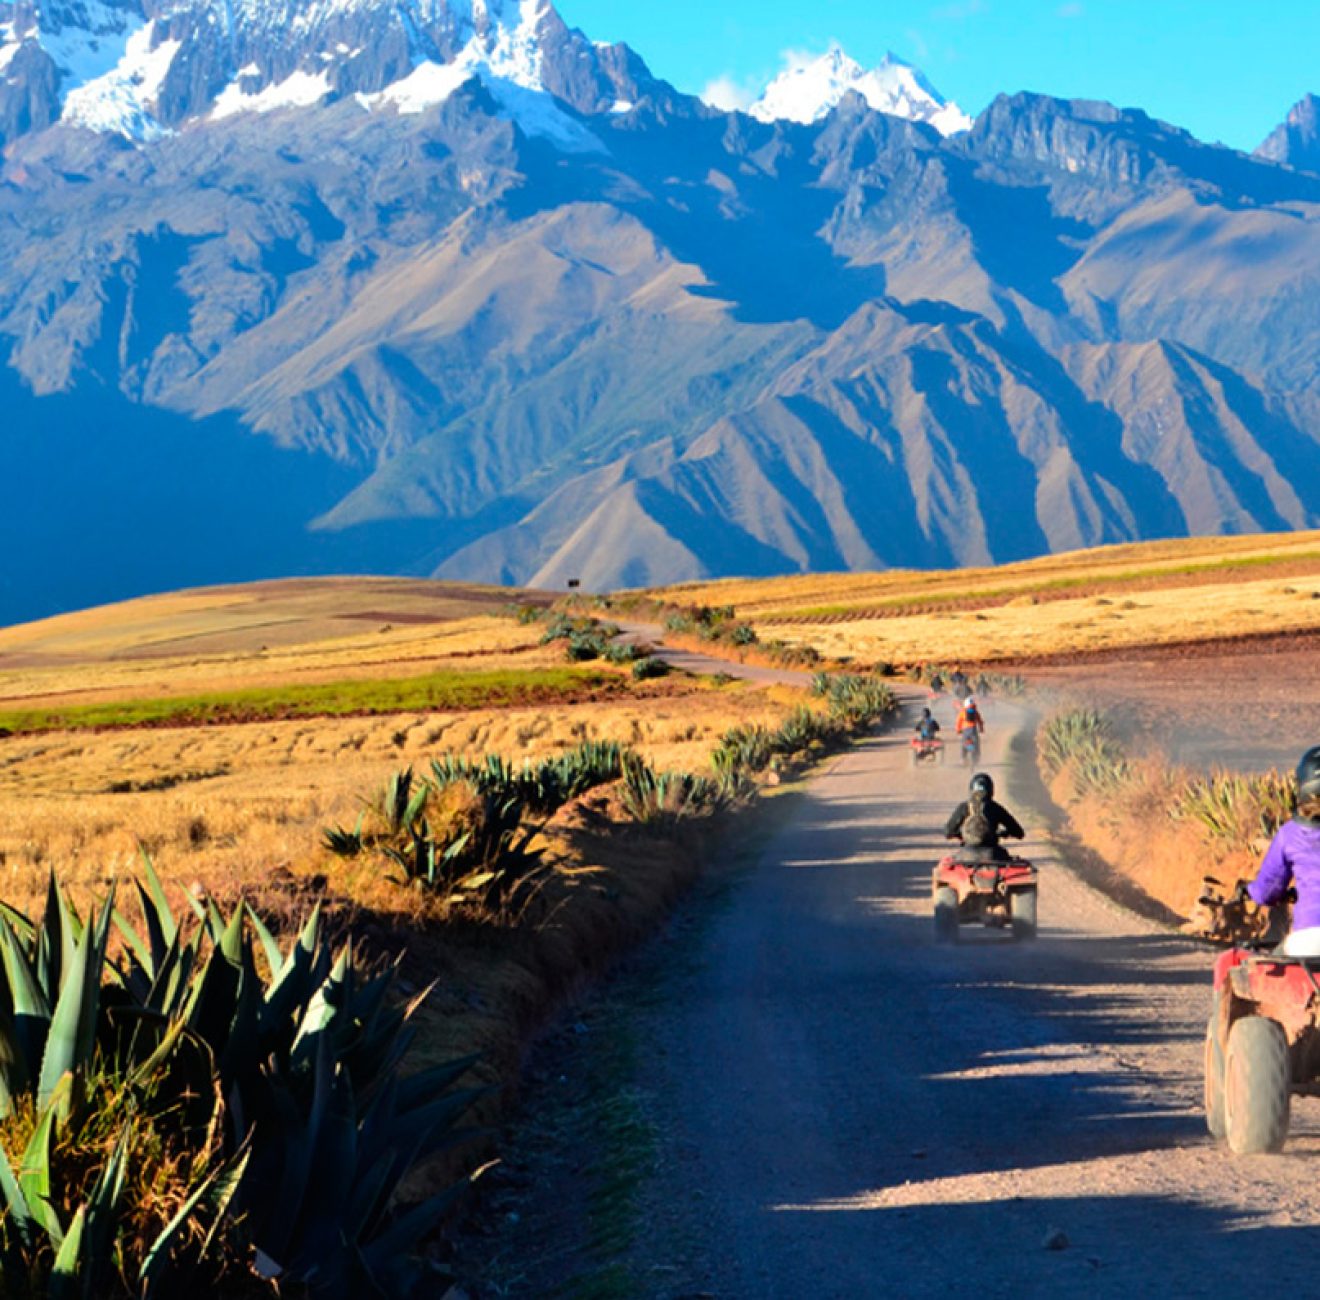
(808, 89)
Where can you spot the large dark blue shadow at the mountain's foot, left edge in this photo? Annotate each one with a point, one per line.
(106, 500)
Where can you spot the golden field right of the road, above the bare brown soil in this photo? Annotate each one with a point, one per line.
(1112, 599)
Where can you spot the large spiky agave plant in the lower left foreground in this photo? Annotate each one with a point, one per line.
(283, 1093)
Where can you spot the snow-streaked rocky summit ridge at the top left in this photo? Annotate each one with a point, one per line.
(143, 68)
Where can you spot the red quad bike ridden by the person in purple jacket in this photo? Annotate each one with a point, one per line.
(1263, 1045)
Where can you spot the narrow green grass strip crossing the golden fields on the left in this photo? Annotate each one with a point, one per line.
(434, 692)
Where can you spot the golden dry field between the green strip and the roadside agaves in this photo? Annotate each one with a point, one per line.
(226, 806)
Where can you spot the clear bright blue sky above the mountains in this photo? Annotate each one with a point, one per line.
(1220, 68)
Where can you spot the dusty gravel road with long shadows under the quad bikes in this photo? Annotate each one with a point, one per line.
(849, 1111)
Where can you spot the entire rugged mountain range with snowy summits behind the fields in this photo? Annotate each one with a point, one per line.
(445, 287)
